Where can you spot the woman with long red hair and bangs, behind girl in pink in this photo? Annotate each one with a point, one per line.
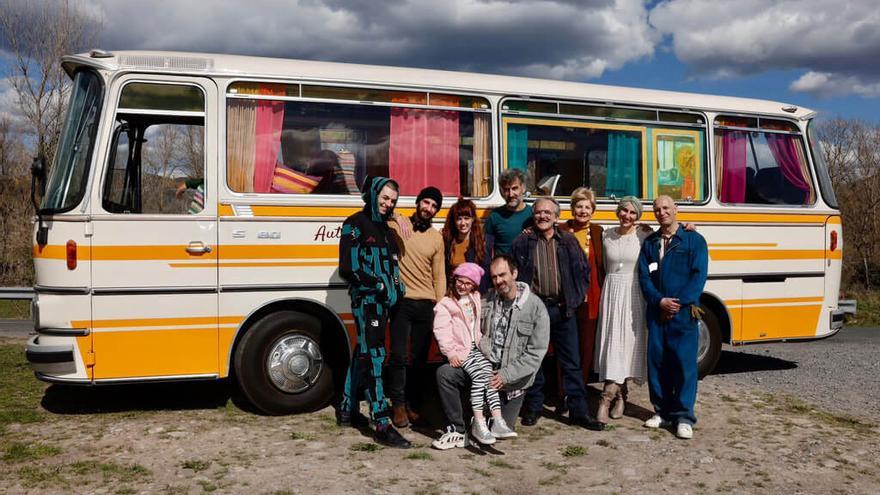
(463, 237)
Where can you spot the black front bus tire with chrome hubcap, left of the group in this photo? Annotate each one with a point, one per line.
(280, 366)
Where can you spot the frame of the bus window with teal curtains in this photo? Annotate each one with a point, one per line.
(505, 114)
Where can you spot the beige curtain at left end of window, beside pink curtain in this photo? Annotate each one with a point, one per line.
(240, 144)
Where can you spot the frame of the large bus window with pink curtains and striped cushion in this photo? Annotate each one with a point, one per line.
(346, 198)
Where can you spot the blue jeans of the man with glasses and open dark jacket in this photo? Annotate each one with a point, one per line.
(566, 347)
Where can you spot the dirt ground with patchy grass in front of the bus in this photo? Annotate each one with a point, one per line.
(192, 438)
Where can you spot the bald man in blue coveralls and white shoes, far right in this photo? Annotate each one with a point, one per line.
(672, 272)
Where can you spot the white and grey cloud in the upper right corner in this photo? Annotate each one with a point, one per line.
(836, 42)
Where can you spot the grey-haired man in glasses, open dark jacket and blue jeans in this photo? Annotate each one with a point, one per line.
(553, 264)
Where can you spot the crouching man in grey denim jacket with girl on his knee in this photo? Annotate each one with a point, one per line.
(516, 332)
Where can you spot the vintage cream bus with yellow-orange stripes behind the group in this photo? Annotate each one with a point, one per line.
(139, 279)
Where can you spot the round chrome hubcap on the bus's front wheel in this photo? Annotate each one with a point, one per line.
(294, 363)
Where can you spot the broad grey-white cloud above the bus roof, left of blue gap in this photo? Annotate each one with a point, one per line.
(559, 39)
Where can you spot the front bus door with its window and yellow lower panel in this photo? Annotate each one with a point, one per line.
(154, 245)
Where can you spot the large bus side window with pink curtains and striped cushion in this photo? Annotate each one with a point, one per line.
(328, 148)
